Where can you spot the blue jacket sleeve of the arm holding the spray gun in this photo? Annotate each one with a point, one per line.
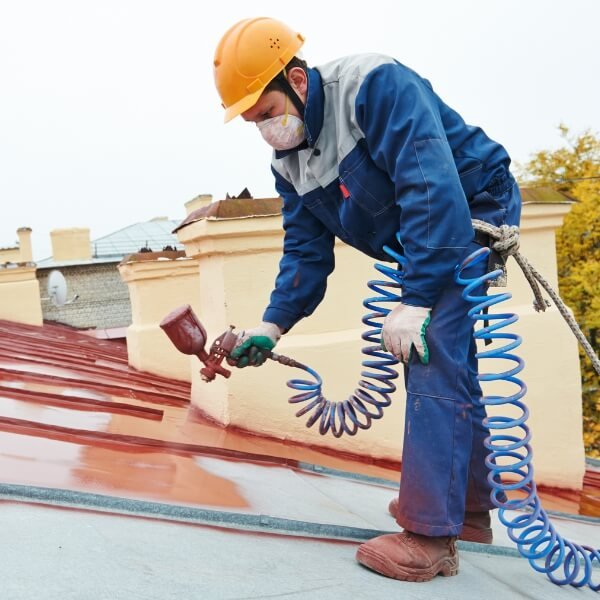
(307, 261)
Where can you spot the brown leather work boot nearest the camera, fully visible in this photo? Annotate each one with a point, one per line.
(409, 556)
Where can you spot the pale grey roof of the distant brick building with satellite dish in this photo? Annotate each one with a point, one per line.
(155, 234)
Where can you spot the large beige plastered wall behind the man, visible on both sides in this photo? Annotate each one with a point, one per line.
(238, 261)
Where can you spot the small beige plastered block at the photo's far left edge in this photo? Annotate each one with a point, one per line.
(20, 294)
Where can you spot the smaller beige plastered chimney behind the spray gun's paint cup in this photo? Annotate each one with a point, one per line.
(156, 287)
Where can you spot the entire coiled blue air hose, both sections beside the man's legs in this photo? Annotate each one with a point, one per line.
(531, 530)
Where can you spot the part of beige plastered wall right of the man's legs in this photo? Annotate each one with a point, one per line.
(550, 351)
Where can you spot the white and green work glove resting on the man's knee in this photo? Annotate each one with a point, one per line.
(404, 329)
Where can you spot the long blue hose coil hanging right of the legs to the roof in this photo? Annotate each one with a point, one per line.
(532, 531)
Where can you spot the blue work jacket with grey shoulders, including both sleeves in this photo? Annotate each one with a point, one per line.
(384, 154)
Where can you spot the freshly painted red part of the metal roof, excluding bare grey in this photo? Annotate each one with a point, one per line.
(74, 415)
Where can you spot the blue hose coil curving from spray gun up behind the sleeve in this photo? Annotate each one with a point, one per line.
(369, 399)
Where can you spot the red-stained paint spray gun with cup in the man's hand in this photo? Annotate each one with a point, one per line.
(188, 335)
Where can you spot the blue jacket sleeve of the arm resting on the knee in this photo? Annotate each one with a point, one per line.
(399, 115)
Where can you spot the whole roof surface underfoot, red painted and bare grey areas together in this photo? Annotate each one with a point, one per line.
(224, 514)
